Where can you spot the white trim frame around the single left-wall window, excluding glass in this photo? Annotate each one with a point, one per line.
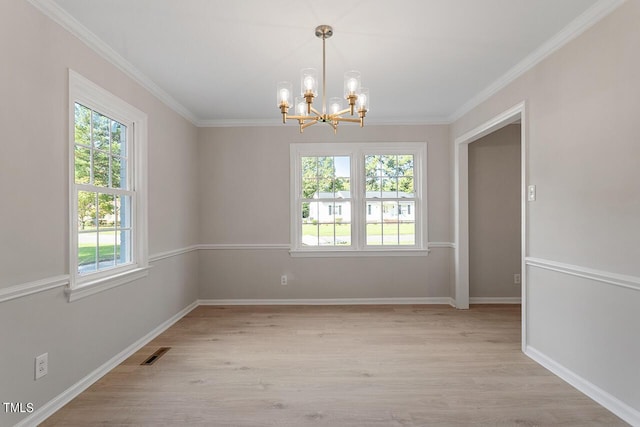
(87, 93)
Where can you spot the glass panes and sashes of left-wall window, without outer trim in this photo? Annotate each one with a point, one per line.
(103, 191)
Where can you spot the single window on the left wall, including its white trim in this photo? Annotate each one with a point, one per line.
(107, 188)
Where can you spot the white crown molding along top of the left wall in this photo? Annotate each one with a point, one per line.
(52, 10)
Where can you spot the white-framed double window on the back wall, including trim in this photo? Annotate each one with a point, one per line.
(359, 198)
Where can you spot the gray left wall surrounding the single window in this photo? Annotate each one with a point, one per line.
(82, 335)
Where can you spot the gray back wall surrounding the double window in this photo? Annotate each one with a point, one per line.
(244, 173)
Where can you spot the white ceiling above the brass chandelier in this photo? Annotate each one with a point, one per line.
(218, 61)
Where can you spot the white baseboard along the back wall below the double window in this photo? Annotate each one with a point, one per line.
(329, 301)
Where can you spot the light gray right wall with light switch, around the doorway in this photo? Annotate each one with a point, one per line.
(583, 156)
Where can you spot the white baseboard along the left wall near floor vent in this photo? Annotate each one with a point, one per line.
(66, 396)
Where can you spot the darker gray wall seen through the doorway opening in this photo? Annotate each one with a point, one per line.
(494, 214)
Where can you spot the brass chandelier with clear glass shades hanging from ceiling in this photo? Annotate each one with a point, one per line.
(356, 96)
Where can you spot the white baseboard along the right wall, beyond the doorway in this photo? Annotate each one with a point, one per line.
(619, 408)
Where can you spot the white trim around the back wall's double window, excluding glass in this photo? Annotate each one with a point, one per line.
(357, 152)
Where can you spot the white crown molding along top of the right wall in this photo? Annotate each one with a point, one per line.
(579, 25)
